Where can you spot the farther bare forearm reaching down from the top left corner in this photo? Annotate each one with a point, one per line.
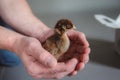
(18, 14)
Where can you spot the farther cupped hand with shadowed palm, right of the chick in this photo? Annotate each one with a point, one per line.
(79, 49)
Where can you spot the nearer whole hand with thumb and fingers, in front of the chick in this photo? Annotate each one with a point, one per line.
(40, 63)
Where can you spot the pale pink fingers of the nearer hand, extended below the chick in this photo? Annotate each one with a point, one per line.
(61, 70)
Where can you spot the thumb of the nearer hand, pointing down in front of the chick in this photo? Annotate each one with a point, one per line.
(45, 58)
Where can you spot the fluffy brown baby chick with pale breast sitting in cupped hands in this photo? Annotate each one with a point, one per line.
(59, 43)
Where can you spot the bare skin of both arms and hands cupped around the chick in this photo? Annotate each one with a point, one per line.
(32, 33)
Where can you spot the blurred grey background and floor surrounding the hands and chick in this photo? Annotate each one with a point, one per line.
(104, 61)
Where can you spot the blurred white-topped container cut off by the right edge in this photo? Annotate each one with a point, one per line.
(112, 24)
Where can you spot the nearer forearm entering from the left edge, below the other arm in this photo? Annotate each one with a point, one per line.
(8, 38)
